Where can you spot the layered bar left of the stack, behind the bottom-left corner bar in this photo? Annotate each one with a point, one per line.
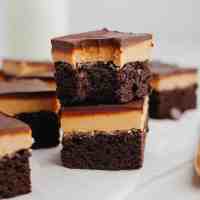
(35, 103)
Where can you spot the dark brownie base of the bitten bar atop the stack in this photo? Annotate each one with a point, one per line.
(101, 83)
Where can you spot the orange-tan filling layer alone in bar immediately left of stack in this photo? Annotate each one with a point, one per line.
(16, 105)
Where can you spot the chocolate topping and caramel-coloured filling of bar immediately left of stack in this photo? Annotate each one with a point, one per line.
(20, 96)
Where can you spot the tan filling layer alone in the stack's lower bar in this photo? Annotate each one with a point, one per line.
(104, 121)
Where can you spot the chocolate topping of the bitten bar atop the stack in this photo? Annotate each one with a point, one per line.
(98, 38)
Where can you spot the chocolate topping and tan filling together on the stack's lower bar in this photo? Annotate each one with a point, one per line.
(105, 118)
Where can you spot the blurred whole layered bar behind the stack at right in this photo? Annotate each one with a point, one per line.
(173, 90)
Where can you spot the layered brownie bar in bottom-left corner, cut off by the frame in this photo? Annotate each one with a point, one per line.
(15, 144)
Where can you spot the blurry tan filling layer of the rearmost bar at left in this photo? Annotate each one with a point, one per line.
(23, 68)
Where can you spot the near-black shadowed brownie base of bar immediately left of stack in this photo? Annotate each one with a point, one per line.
(45, 127)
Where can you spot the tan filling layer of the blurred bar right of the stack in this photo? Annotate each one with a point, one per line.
(177, 81)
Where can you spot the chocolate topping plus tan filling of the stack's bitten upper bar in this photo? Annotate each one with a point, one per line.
(102, 45)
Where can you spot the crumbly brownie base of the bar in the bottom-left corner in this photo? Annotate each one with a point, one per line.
(15, 175)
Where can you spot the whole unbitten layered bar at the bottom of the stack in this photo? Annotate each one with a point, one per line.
(108, 137)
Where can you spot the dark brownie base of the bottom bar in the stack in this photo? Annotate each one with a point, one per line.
(103, 151)
